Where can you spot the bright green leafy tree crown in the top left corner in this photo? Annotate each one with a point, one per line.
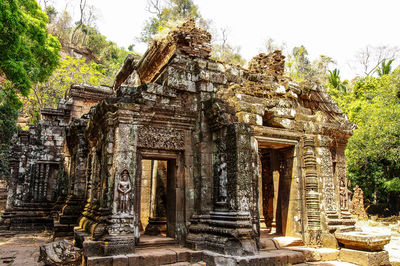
(28, 54)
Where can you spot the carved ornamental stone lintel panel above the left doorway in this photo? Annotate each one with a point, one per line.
(160, 138)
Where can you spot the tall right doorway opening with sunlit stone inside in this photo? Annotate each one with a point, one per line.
(275, 172)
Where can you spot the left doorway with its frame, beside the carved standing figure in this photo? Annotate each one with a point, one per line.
(157, 202)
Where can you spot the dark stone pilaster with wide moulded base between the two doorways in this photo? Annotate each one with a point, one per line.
(228, 229)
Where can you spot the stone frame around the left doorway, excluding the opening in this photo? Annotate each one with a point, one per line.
(175, 183)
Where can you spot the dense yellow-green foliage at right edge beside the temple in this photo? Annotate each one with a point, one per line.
(373, 152)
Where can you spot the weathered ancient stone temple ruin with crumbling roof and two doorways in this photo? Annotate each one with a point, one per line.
(189, 150)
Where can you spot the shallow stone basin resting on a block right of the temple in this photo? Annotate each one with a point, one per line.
(367, 241)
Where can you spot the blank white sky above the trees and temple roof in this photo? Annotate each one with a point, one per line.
(335, 28)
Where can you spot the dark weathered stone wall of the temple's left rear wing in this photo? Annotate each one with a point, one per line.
(39, 177)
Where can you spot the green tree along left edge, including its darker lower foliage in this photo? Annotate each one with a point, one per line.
(28, 55)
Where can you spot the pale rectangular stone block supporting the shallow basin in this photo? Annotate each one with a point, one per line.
(364, 258)
